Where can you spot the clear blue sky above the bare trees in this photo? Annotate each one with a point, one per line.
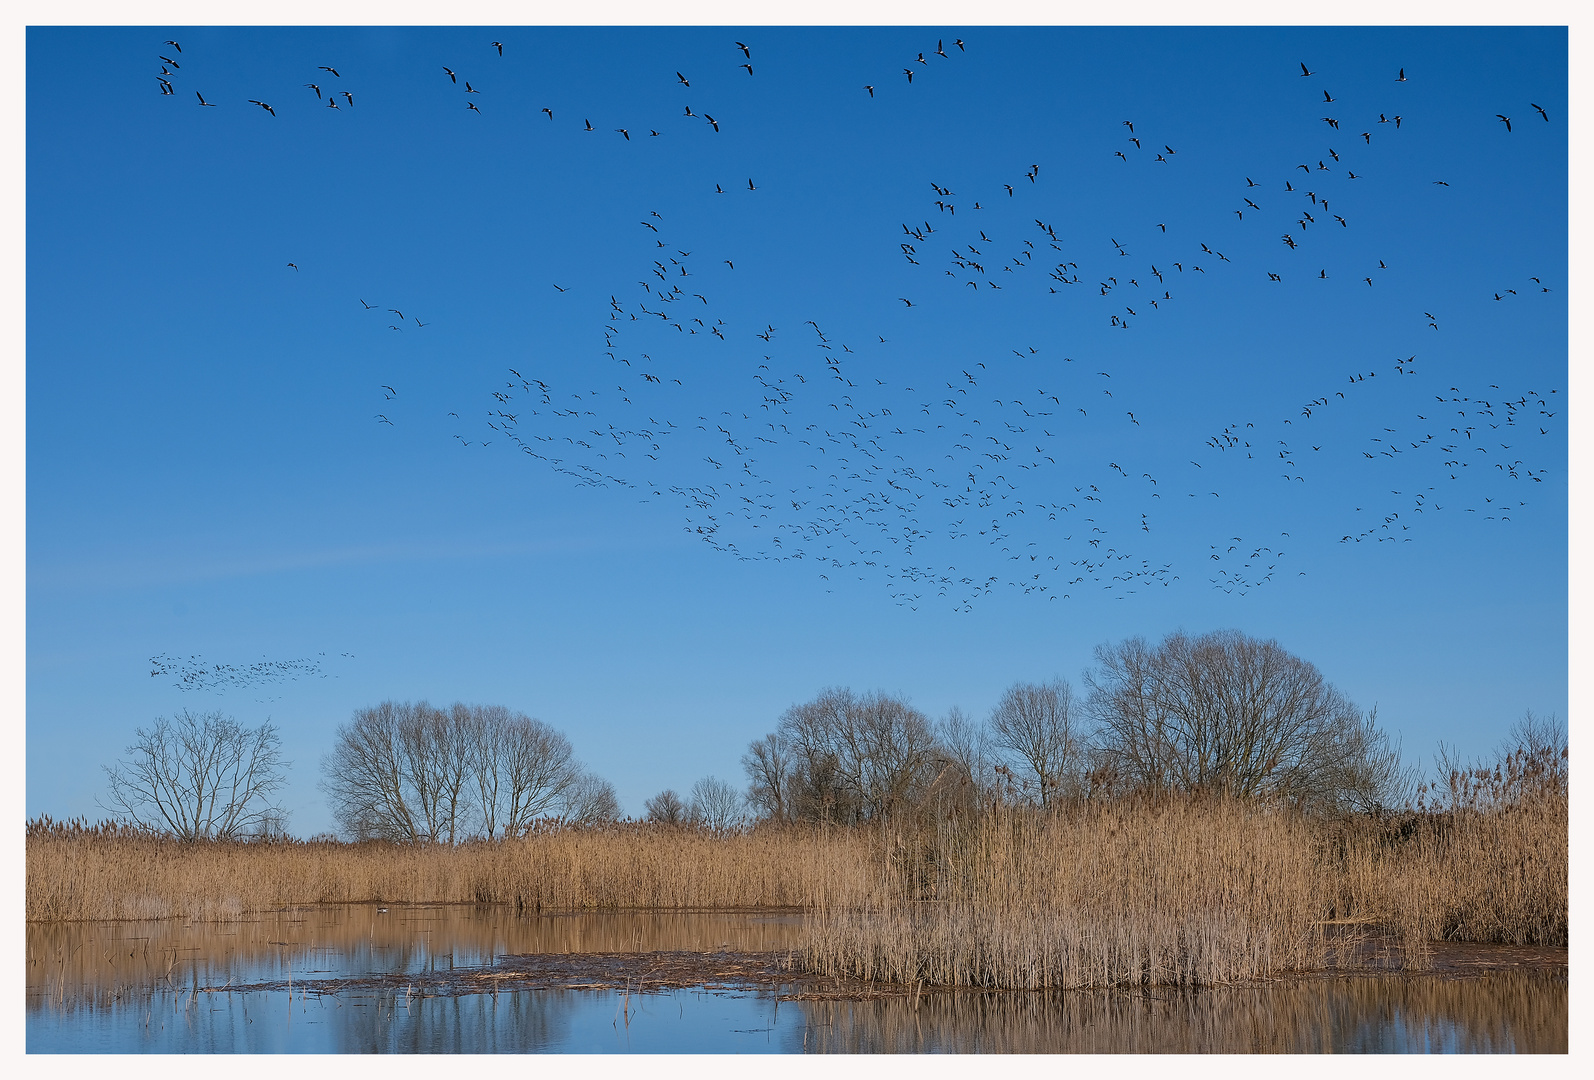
(237, 460)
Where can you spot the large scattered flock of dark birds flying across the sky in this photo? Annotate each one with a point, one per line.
(954, 483)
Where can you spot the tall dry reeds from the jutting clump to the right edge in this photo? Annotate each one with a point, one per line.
(1195, 893)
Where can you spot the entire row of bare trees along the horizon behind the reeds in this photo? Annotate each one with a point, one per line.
(1220, 713)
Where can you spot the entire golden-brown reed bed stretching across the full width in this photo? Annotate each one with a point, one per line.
(1137, 891)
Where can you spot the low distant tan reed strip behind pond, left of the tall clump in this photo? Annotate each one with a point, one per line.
(106, 874)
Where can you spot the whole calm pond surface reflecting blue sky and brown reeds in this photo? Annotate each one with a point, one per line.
(455, 980)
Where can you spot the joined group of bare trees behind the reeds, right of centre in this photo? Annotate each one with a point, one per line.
(1219, 713)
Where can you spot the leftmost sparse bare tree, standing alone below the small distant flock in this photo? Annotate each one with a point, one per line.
(200, 777)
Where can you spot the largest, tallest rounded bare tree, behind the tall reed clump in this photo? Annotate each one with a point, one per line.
(1227, 713)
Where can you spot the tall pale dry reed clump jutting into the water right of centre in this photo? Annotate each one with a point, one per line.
(1129, 893)
